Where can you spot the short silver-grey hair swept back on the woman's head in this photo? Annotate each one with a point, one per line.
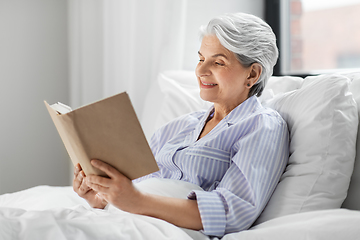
(250, 38)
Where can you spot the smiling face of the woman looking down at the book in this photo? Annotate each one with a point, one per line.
(221, 77)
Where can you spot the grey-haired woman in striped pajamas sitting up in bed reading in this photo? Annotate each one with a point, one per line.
(236, 151)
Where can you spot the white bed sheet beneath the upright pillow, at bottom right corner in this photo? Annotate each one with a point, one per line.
(332, 224)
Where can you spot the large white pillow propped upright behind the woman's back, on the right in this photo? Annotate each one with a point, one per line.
(322, 119)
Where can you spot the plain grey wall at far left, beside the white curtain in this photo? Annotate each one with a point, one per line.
(33, 68)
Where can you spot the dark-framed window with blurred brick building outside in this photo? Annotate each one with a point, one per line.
(315, 36)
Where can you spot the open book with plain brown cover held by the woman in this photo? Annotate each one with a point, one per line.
(107, 130)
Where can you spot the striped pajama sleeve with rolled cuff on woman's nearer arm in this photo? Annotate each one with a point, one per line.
(257, 163)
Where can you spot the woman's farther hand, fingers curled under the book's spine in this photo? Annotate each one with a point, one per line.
(94, 198)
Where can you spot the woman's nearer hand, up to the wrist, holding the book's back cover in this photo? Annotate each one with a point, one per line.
(117, 189)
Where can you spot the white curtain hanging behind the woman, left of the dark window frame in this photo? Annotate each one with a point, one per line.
(122, 45)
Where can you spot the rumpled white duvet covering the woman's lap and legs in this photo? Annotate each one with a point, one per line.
(57, 213)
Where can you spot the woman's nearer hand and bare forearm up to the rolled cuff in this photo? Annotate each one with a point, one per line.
(120, 192)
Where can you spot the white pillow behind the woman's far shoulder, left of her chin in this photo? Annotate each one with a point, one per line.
(172, 94)
